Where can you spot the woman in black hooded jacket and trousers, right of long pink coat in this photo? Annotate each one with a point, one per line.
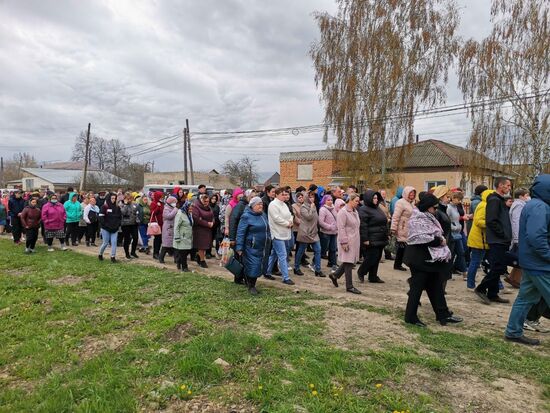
(374, 235)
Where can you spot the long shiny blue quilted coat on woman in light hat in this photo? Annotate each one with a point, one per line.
(254, 240)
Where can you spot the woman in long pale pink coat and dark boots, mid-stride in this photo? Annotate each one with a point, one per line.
(348, 242)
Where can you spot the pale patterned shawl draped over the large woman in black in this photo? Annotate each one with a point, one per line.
(423, 229)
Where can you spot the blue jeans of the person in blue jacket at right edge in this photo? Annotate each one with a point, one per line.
(533, 286)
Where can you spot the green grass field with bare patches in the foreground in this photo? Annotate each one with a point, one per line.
(78, 335)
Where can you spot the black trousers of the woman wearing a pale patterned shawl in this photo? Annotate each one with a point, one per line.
(433, 283)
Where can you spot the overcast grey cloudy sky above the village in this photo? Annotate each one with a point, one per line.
(136, 69)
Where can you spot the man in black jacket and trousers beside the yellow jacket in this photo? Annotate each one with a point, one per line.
(499, 237)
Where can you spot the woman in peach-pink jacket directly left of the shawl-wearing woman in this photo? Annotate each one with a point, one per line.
(400, 224)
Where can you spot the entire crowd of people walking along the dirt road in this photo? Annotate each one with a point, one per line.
(280, 232)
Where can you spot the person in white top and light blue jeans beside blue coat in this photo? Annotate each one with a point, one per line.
(280, 225)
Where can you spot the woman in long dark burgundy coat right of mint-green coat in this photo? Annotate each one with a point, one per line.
(203, 221)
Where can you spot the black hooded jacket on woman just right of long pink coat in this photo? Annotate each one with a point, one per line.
(374, 224)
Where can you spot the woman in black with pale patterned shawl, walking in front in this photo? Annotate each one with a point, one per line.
(428, 257)
